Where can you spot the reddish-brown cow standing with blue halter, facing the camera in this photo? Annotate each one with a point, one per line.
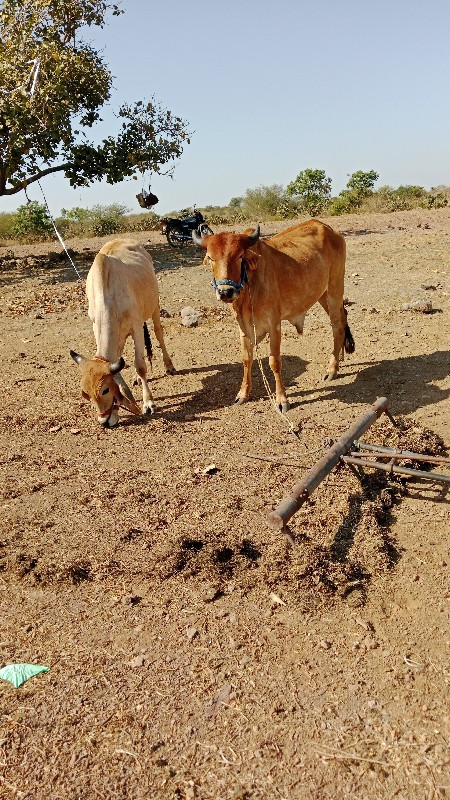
(281, 278)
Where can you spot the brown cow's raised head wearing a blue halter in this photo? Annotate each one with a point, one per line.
(228, 255)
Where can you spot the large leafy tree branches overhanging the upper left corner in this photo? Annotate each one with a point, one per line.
(49, 129)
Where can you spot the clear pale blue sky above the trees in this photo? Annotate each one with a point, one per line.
(270, 88)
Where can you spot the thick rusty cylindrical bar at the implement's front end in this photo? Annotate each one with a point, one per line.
(304, 489)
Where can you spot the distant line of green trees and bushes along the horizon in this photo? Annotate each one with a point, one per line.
(309, 194)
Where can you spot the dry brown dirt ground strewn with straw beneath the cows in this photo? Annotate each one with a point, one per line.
(193, 652)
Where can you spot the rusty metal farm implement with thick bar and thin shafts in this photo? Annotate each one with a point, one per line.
(357, 455)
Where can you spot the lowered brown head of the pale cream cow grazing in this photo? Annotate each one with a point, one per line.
(102, 384)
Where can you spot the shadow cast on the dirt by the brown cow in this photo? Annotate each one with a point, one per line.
(408, 383)
